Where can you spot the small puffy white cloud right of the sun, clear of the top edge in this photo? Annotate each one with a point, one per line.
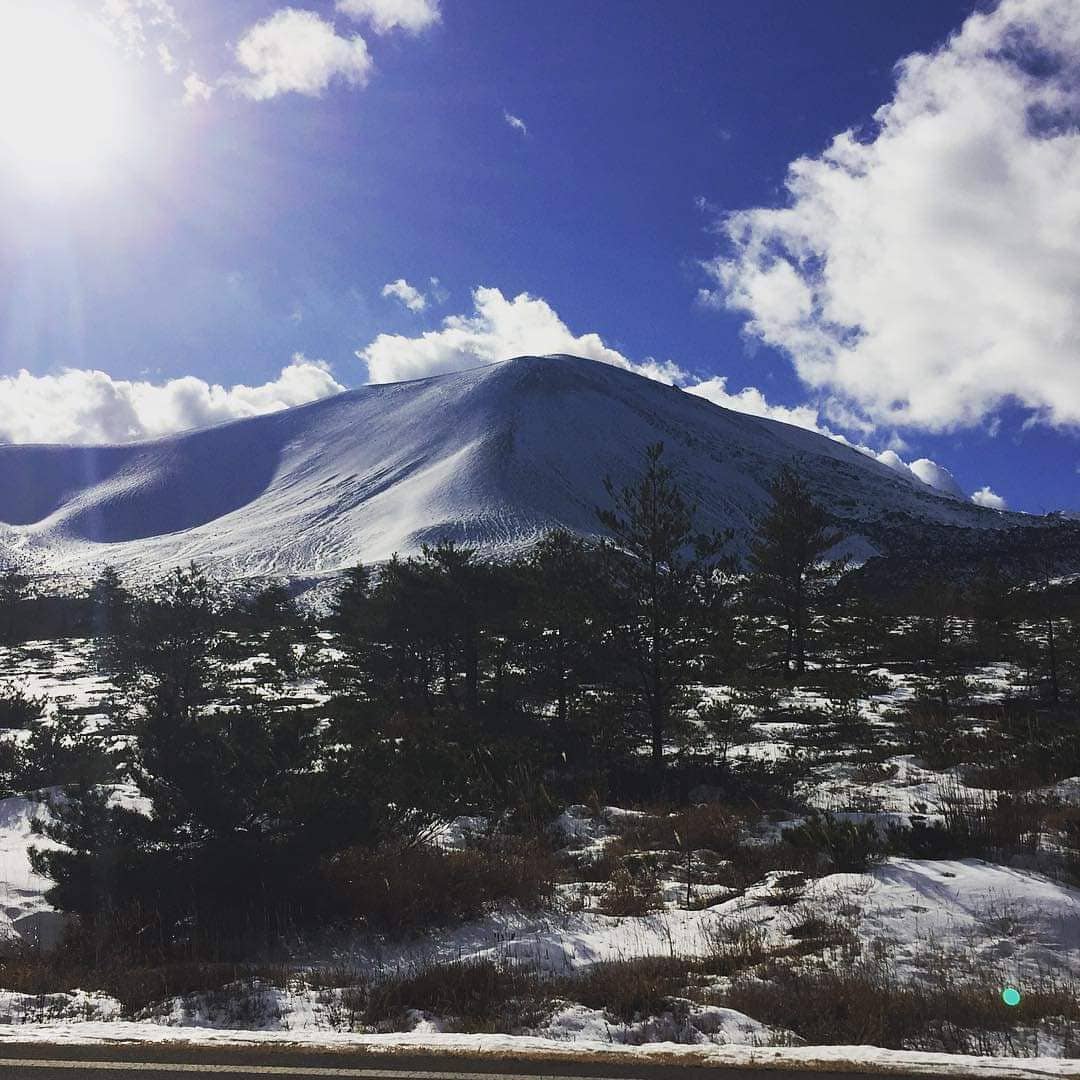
(294, 51)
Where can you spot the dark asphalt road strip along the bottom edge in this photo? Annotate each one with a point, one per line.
(157, 1062)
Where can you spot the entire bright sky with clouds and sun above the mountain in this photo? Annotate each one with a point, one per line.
(254, 206)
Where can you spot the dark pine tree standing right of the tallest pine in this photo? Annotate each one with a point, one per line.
(788, 560)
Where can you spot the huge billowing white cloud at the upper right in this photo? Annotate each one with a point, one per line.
(926, 273)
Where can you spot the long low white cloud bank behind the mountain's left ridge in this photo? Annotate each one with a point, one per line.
(88, 407)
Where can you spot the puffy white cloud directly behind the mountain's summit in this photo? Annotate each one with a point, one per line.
(497, 330)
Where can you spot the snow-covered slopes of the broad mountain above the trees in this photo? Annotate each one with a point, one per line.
(492, 456)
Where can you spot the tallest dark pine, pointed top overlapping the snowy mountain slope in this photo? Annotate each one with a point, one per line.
(664, 559)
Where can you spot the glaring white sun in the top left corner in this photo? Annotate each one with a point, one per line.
(62, 101)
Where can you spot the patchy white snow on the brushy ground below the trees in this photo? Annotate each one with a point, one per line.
(1001, 925)
